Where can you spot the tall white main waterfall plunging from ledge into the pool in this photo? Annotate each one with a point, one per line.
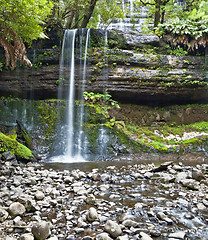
(71, 140)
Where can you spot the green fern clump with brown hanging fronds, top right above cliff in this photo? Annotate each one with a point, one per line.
(188, 28)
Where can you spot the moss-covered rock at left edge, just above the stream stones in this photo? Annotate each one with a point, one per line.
(14, 147)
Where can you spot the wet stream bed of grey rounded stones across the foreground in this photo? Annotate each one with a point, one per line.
(133, 201)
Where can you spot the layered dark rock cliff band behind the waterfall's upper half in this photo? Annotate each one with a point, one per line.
(139, 71)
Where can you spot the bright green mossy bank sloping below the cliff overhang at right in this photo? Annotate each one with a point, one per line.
(148, 136)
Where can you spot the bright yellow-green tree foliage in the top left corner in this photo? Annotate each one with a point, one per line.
(25, 17)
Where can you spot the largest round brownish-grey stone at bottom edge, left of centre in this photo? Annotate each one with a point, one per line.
(41, 230)
